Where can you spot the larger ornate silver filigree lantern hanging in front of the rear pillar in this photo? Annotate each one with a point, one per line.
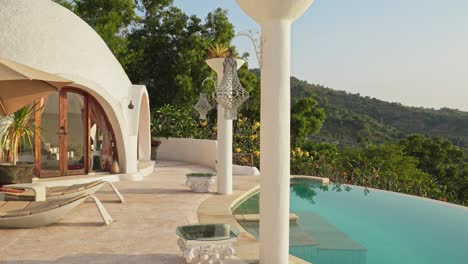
(229, 93)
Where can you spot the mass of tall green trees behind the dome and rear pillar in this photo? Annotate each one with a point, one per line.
(161, 46)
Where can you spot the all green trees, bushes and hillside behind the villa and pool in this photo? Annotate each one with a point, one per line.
(347, 137)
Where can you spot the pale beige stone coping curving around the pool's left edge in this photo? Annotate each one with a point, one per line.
(218, 208)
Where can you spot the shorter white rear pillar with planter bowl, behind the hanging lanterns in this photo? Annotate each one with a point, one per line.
(224, 145)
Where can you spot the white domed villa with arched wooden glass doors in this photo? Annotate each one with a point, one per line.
(99, 118)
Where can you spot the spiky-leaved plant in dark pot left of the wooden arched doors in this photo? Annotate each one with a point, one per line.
(17, 130)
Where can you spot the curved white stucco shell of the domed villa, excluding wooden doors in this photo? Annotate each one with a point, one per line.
(47, 36)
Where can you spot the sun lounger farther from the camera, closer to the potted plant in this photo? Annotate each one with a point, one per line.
(39, 192)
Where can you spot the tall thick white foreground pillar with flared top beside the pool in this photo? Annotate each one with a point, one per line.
(275, 18)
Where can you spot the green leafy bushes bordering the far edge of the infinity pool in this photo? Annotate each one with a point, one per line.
(384, 167)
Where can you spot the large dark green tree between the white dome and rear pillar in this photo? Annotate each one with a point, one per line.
(169, 51)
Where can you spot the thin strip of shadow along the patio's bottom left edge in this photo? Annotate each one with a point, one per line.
(107, 258)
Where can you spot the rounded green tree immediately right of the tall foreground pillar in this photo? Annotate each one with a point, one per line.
(306, 120)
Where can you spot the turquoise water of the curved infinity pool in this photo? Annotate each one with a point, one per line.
(352, 226)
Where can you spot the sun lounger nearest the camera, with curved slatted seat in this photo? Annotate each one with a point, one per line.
(23, 214)
